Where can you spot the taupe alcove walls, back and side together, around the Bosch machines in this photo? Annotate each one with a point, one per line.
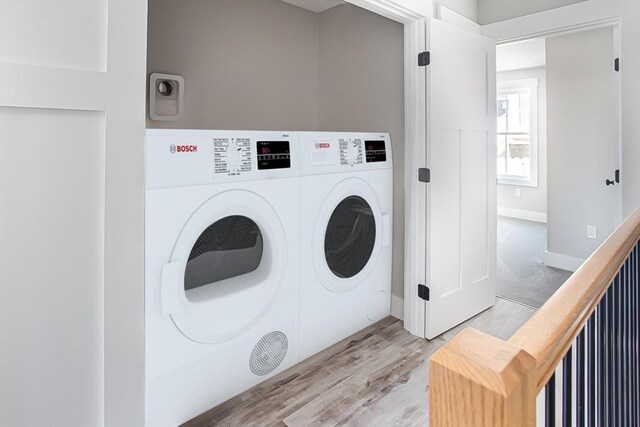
(269, 65)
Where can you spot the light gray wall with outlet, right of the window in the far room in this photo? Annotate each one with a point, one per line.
(582, 133)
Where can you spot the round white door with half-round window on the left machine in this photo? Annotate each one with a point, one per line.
(227, 267)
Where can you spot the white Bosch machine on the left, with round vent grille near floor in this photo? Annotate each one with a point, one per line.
(222, 266)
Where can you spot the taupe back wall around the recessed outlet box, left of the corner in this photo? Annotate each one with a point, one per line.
(247, 64)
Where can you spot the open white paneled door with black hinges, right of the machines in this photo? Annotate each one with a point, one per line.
(461, 197)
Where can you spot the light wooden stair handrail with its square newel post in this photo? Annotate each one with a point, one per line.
(479, 380)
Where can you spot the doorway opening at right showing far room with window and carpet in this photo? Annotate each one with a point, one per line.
(557, 155)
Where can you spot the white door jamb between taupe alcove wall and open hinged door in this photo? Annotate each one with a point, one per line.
(415, 149)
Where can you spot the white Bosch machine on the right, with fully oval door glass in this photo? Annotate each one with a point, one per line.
(346, 231)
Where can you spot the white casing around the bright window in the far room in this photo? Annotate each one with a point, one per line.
(532, 199)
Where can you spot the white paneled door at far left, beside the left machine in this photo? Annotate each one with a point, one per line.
(72, 102)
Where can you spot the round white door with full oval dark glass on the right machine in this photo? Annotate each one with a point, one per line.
(348, 235)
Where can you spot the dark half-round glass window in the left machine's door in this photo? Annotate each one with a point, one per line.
(228, 248)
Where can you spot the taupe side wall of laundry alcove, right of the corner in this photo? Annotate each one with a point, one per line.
(361, 88)
